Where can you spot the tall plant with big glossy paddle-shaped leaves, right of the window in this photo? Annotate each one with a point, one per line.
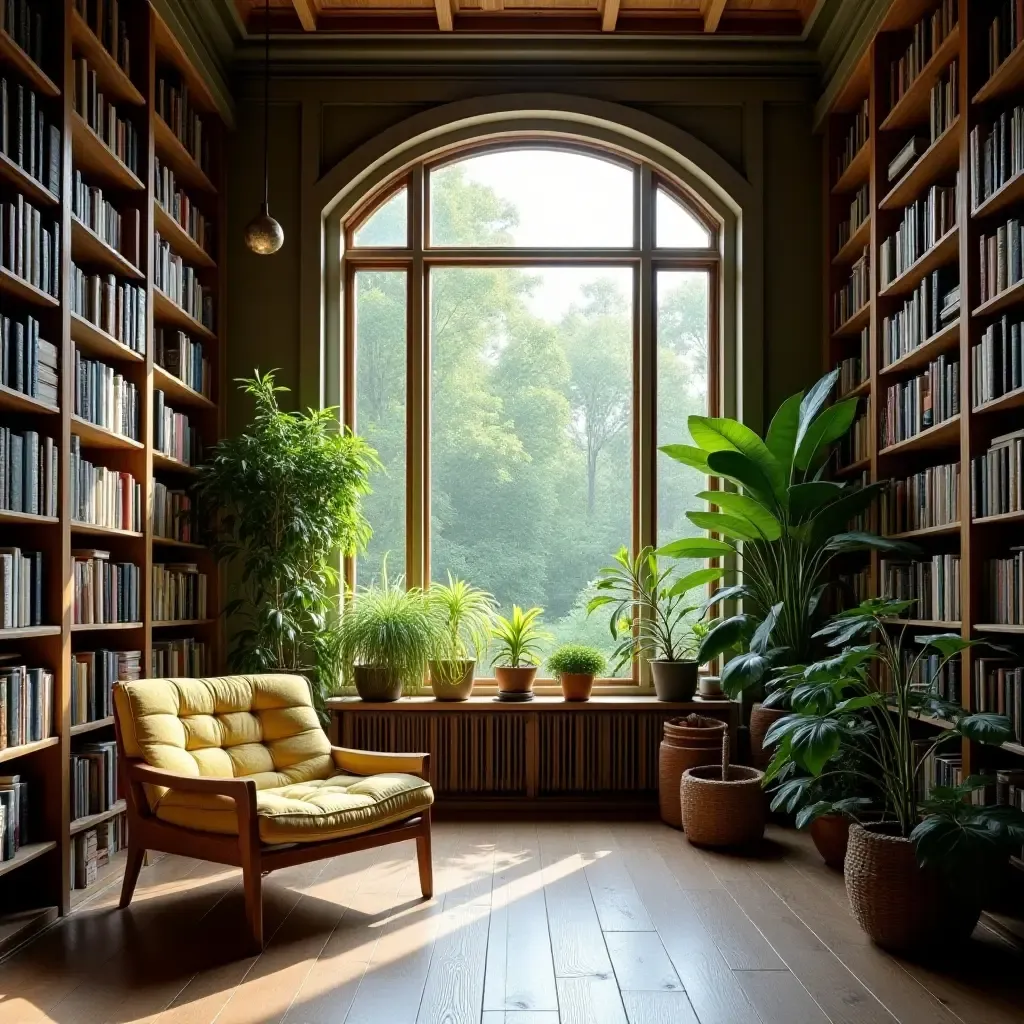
(782, 521)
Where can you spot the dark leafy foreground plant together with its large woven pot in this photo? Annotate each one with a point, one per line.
(918, 876)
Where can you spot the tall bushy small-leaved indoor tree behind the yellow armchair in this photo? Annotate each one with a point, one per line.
(286, 498)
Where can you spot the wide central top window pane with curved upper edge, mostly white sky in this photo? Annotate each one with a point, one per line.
(532, 198)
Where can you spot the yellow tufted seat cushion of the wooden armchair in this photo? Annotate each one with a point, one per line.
(307, 813)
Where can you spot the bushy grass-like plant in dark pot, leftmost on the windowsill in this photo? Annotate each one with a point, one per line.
(388, 634)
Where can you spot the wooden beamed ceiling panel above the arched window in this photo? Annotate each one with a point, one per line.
(754, 18)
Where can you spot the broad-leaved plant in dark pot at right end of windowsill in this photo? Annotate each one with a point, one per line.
(651, 619)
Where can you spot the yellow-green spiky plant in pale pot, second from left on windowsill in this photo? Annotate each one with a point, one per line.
(463, 615)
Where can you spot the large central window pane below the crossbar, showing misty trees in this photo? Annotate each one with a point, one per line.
(531, 436)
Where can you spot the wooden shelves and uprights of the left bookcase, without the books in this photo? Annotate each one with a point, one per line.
(35, 886)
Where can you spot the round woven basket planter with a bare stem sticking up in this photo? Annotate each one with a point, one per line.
(723, 805)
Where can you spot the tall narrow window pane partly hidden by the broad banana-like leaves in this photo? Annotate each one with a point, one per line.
(682, 392)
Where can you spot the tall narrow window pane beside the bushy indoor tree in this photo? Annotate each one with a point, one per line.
(380, 412)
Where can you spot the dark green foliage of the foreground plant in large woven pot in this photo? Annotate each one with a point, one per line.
(843, 728)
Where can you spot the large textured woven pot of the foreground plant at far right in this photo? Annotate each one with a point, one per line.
(902, 907)
